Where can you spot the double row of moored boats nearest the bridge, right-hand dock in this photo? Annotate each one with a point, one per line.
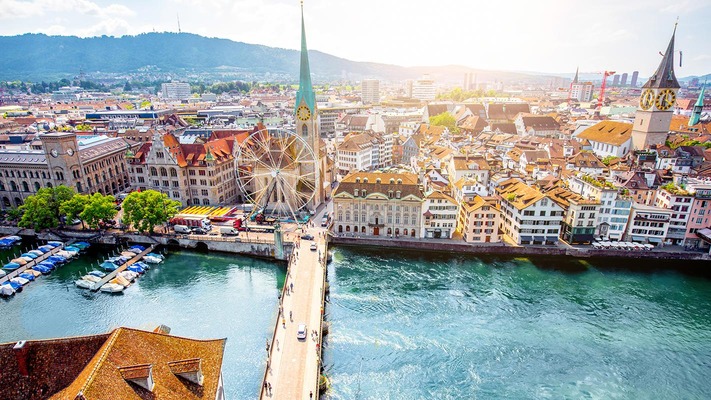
(123, 279)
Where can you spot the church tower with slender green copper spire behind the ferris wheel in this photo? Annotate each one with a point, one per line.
(307, 126)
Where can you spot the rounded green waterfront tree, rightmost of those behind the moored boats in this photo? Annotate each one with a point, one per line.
(145, 210)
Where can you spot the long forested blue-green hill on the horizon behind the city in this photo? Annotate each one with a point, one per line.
(38, 56)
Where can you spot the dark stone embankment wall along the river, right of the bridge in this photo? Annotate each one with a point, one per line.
(452, 246)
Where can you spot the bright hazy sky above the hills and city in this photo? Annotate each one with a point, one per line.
(553, 36)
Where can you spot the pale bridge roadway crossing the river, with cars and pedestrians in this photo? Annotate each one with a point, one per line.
(293, 365)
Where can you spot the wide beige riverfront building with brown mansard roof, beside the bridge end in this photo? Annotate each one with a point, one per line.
(378, 204)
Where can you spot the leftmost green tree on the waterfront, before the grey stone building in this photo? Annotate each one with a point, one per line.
(41, 210)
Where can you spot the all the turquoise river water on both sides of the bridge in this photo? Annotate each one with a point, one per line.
(407, 326)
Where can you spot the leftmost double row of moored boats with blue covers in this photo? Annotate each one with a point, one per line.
(52, 255)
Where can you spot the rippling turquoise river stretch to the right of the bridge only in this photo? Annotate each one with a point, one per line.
(448, 327)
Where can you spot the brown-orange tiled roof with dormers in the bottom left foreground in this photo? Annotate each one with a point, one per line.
(123, 364)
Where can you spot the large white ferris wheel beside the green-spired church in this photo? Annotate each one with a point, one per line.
(277, 173)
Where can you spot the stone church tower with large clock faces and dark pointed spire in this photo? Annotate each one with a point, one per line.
(656, 103)
